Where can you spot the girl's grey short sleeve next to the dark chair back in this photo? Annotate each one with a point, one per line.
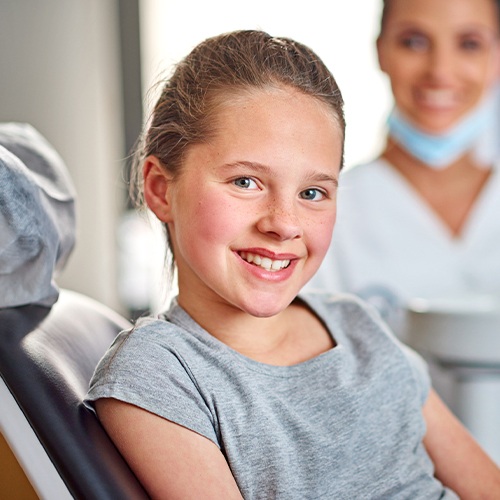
(140, 368)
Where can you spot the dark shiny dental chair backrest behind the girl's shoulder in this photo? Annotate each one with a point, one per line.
(47, 358)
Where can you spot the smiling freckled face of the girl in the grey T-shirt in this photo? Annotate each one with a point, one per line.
(252, 212)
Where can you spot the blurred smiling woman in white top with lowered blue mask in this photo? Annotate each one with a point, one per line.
(422, 220)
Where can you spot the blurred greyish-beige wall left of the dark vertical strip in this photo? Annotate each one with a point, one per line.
(59, 71)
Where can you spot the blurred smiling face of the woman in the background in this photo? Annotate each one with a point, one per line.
(441, 57)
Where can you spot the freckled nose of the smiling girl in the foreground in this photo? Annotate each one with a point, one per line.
(280, 222)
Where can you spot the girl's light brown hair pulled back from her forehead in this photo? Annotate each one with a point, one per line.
(218, 68)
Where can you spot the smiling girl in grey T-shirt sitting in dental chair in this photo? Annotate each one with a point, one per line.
(243, 389)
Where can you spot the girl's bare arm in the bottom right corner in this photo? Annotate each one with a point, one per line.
(460, 463)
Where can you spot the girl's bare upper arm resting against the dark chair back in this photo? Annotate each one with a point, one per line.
(170, 460)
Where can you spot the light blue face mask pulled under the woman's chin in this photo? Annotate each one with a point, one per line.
(439, 151)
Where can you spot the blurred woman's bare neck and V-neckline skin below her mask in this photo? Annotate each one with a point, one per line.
(451, 192)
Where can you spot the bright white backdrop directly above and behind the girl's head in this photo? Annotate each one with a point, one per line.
(341, 32)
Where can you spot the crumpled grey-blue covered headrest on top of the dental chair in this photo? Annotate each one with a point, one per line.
(37, 217)
